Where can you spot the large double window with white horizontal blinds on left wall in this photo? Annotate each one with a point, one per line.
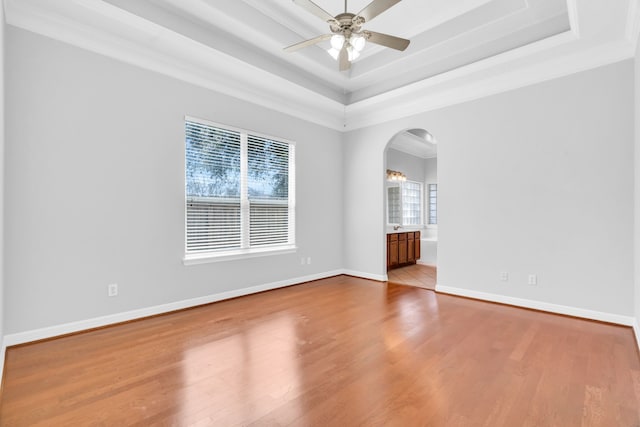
(239, 191)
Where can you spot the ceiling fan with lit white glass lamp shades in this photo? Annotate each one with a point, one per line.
(347, 35)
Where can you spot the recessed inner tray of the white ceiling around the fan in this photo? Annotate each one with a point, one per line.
(444, 35)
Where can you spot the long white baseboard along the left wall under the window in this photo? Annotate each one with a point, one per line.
(96, 322)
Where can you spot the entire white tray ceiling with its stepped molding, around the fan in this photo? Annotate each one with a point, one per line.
(460, 50)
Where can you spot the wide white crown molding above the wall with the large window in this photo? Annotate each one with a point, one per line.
(118, 34)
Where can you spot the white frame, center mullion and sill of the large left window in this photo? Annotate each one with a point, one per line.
(191, 258)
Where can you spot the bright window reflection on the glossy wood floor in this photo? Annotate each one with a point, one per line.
(256, 367)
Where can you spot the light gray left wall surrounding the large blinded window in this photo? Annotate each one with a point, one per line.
(95, 194)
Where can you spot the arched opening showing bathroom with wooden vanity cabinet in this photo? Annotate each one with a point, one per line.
(410, 208)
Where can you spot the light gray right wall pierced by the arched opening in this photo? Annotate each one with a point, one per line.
(536, 180)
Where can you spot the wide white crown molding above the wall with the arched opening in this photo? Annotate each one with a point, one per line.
(475, 81)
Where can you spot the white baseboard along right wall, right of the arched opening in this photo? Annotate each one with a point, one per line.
(539, 305)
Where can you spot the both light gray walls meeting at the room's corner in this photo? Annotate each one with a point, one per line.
(537, 180)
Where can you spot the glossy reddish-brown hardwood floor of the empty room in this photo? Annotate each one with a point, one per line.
(336, 352)
